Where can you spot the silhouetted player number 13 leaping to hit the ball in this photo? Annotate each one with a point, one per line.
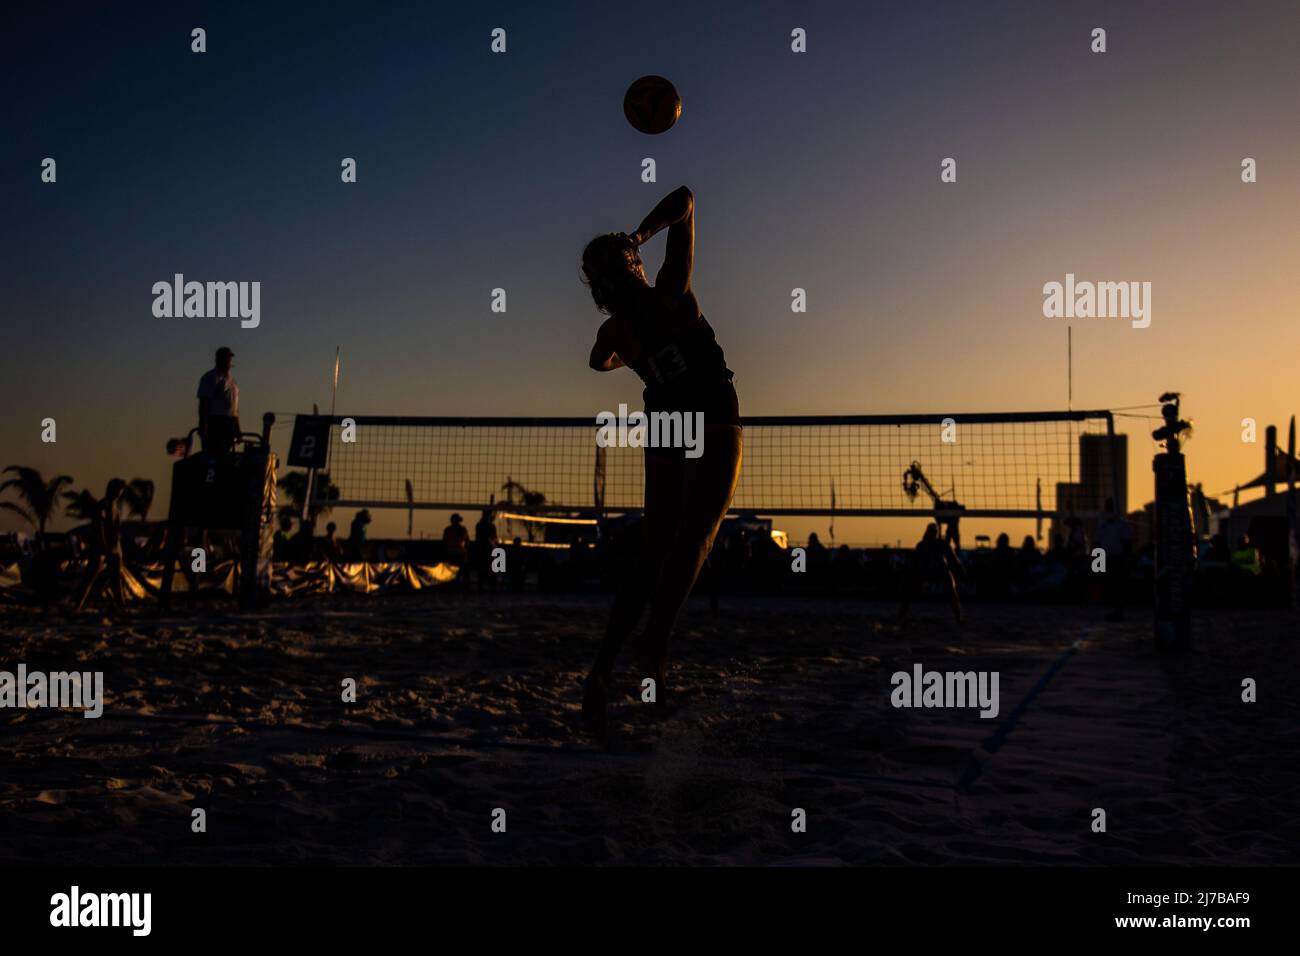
(660, 334)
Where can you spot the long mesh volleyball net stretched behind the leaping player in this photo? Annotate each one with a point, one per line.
(1002, 465)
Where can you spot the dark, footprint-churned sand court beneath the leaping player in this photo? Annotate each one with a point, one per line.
(779, 706)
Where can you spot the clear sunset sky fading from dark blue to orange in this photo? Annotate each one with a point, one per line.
(476, 171)
